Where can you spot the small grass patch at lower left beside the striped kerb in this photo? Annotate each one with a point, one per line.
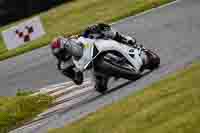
(16, 110)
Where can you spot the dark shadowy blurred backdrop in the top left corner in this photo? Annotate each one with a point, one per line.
(12, 10)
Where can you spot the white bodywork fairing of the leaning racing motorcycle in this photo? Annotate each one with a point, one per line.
(131, 54)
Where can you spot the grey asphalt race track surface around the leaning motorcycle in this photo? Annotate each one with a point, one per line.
(173, 31)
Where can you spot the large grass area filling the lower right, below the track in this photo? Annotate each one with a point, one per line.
(171, 105)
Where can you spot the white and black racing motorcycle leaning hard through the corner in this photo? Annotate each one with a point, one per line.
(109, 58)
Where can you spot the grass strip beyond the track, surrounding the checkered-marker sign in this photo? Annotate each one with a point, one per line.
(72, 17)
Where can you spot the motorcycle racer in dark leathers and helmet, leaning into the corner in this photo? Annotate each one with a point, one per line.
(65, 48)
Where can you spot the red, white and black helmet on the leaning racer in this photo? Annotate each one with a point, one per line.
(58, 50)
